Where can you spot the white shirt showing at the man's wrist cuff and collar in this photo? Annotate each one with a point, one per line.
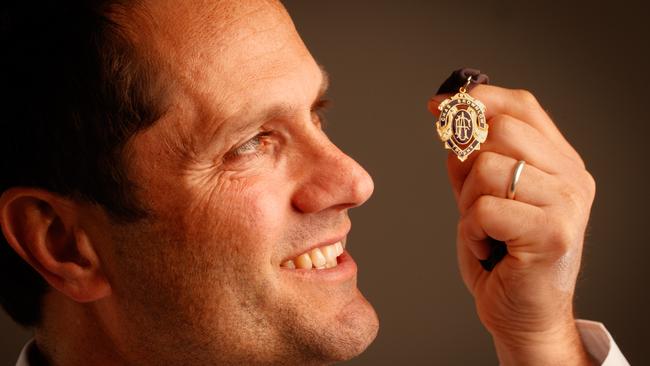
(596, 339)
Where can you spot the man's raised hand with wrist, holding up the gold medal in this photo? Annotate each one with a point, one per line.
(526, 301)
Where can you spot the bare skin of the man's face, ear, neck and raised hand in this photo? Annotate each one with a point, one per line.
(200, 282)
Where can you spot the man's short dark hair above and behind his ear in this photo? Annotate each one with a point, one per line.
(74, 90)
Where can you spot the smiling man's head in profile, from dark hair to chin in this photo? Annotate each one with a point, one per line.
(235, 185)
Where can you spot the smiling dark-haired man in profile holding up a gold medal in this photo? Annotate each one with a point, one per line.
(166, 175)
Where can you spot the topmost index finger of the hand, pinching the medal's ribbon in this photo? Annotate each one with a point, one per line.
(519, 104)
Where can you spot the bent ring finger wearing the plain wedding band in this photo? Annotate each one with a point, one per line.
(492, 175)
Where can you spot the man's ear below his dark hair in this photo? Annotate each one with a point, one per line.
(47, 231)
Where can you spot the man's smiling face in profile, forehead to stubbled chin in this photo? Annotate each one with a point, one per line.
(240, 179)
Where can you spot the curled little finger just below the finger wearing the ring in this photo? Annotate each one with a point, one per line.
(517, 224)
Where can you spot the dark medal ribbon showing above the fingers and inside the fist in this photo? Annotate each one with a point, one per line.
(454, 82)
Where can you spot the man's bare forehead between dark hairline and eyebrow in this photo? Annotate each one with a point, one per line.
(226, 53)
